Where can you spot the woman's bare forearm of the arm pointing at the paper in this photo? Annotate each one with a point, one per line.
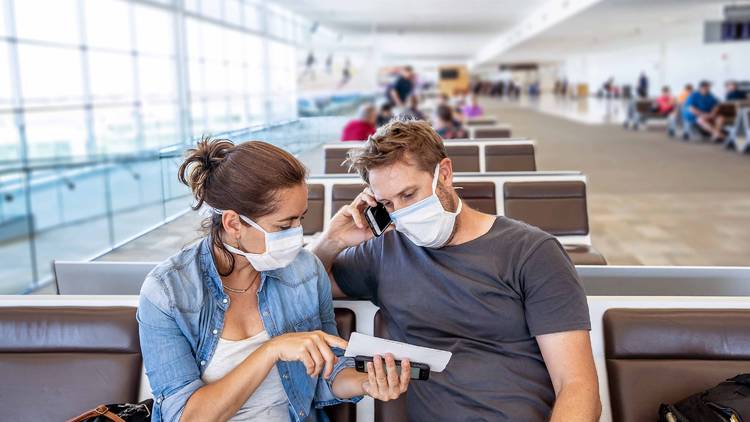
(220, 400)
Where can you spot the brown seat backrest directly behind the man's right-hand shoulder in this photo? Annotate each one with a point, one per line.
(559, 208)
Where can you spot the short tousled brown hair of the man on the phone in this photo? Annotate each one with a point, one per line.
(393, 141)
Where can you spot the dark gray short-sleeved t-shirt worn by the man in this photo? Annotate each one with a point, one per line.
(484, 300)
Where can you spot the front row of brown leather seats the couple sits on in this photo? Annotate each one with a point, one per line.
(86, 351)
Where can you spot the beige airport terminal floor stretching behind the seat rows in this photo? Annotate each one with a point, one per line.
(653, 200)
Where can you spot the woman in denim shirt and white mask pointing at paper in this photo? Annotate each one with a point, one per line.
(240, 326)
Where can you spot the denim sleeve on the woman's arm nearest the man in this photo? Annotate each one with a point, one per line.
(324, 392)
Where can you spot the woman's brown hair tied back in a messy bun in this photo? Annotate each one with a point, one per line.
(244, 178)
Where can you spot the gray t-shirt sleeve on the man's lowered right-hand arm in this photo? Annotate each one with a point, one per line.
(554, 300)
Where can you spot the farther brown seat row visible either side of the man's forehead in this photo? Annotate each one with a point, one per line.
(467, 156)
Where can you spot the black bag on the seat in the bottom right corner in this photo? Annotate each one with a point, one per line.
(727, 402)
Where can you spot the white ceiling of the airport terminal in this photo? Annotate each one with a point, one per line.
(454, 31)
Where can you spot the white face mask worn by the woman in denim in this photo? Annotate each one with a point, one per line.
(281, 248)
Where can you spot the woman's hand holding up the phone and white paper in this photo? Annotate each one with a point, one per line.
(383, 381)
